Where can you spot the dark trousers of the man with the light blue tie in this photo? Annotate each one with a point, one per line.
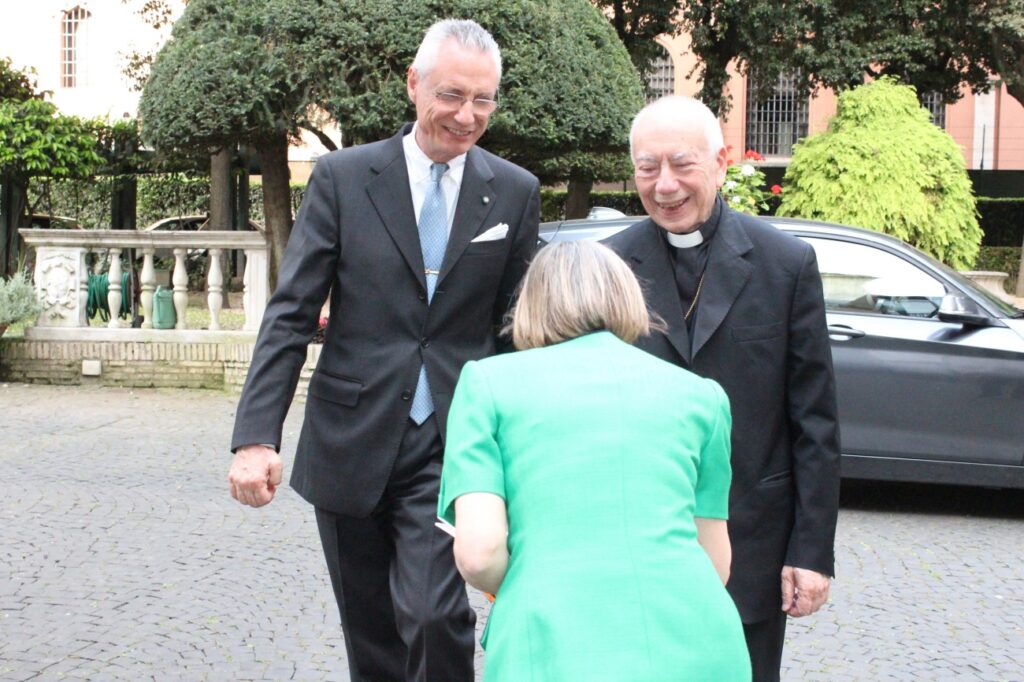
(404, 607)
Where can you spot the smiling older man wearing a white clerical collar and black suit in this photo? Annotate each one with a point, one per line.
(743, 306)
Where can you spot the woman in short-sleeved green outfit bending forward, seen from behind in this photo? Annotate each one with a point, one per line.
(588, 483)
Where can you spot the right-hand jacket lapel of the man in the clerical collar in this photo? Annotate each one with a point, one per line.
(727, 275)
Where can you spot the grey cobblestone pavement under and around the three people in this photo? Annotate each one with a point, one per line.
(123, 558)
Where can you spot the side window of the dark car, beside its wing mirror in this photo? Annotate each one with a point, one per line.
(859, 278)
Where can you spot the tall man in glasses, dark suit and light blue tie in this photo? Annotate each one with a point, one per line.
(420, 240)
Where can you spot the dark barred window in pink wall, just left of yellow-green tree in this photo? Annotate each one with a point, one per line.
(778, 122)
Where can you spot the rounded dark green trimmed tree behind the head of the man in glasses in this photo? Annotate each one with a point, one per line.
(568, 96)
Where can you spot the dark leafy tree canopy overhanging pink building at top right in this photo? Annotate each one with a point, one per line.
(934, 47)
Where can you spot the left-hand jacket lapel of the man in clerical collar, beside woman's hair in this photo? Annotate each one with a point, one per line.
(654, 269)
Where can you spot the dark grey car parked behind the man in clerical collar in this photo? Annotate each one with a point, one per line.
(929, 366)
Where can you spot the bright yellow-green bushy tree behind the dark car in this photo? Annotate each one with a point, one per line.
(883, 165)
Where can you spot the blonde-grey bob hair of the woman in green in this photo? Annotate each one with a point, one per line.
(575, 288)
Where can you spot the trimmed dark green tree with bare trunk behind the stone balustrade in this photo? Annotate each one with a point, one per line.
(232, 75)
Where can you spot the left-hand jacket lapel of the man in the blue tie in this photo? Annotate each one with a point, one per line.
(390, 193)
